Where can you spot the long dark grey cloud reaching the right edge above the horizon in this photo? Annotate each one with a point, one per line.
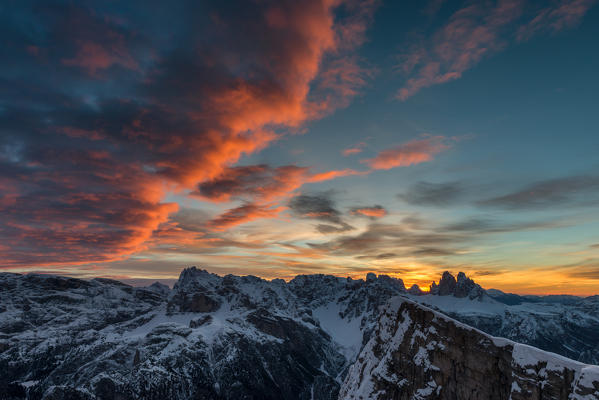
(549, 193)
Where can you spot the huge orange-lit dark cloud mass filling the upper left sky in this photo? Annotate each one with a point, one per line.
(189, 112)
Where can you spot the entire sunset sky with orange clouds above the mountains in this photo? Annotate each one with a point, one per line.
(278, 138)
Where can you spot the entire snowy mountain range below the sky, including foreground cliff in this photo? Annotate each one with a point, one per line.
(314, 337)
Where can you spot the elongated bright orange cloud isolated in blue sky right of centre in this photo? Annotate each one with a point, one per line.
(410, 153)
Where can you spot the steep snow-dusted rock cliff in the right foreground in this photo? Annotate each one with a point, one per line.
(416, 353)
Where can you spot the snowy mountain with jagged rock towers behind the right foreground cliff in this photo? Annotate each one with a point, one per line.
(567, 325)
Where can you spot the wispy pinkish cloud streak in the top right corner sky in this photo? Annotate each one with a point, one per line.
(478, 31)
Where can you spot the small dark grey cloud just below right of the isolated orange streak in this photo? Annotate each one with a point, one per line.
(433, 194)
